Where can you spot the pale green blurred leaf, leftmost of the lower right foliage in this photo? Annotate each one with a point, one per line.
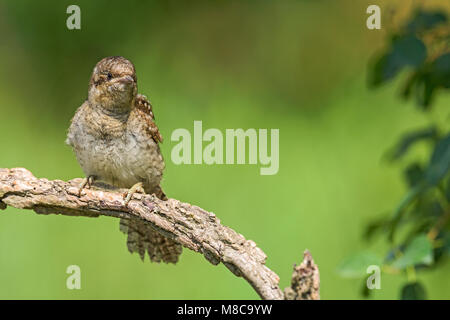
(356, 265)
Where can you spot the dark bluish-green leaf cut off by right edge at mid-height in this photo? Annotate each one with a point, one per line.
(439, 162)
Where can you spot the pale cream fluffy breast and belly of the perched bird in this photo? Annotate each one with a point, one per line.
(117, 156)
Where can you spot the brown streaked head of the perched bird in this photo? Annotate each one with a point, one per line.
(113, 84)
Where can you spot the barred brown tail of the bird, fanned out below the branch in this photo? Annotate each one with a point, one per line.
(141, 238)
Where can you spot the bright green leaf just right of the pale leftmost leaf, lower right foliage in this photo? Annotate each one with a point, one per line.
(418, 251)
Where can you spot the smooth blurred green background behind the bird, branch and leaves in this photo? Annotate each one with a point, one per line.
(299, 66)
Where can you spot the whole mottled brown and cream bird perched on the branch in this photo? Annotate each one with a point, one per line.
(116, 142)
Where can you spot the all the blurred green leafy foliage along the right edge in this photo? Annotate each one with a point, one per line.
(421, 220)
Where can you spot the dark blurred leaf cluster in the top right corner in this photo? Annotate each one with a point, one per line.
(411, 49)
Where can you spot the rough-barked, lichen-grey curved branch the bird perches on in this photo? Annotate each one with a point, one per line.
(189, 225)
